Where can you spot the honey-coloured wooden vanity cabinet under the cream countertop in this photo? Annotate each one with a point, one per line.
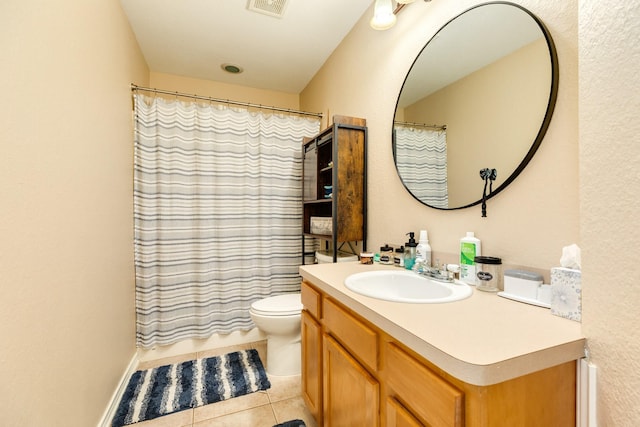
(365, 377)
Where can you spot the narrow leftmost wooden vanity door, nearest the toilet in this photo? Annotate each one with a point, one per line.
(311, 335)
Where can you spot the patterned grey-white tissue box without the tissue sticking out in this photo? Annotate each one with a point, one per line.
(566, 293)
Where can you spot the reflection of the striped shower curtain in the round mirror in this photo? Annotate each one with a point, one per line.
(421, 160)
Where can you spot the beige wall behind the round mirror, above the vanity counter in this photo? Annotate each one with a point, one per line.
(544, 198)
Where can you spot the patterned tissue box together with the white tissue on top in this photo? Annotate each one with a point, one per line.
(566, 286)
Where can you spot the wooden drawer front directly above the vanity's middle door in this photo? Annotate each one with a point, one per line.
(361, 340)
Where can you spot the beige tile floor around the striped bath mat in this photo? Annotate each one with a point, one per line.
(282, 402)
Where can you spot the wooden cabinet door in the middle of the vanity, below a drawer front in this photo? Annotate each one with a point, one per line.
(351, 394)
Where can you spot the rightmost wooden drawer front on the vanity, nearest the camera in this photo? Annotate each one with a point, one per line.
(427, 395)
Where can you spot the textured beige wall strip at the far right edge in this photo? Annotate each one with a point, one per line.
(610, 201)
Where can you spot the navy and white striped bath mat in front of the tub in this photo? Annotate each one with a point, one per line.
(173, 388)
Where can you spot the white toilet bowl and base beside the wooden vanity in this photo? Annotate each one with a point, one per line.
(279, 318)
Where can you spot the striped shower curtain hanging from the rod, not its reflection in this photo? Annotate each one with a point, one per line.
(217, 205)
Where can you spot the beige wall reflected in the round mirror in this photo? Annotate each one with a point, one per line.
(491, 119)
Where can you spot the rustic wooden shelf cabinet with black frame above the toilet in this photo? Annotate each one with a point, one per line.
(334, 186)
